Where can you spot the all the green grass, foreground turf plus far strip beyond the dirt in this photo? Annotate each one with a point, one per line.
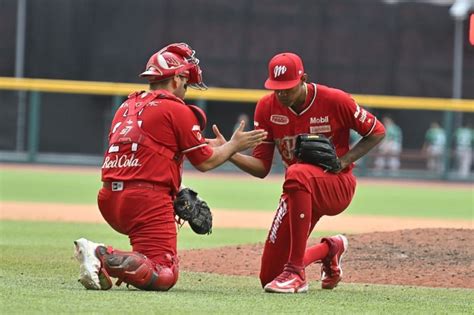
(38, 274)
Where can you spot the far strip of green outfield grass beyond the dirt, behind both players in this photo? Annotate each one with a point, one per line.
(245, 194)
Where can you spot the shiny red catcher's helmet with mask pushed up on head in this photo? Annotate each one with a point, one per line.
(175, 59)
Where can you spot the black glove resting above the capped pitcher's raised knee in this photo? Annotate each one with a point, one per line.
(317, 150)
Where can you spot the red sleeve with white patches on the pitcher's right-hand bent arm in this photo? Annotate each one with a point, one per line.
(359, 119)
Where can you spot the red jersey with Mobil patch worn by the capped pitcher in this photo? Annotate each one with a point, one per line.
(327, 111)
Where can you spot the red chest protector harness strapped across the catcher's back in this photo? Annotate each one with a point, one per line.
(129, 131)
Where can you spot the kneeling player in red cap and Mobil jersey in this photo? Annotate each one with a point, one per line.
(299, 107)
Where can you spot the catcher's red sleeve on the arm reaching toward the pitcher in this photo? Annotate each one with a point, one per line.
(188, 134)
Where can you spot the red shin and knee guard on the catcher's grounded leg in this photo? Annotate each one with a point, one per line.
(137, 270)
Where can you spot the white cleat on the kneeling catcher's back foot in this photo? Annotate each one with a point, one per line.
(91, 275)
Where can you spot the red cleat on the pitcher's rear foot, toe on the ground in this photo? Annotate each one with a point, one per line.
(331, 269)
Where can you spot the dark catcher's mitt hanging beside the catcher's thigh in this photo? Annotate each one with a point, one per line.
(189, 207)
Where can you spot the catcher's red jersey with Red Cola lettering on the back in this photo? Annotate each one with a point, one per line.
(165, 130)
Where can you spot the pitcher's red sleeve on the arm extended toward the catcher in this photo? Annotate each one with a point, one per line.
(264, 151)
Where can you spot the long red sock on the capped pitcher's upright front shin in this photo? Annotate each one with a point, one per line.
(299, 210)
